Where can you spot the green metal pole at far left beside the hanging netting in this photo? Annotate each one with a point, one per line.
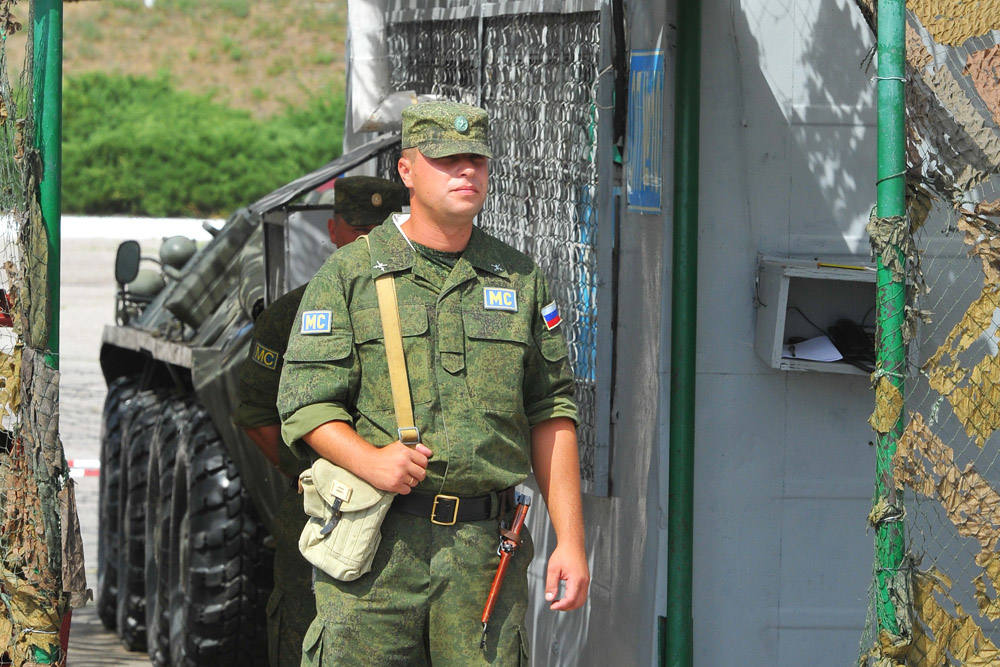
(47, 104)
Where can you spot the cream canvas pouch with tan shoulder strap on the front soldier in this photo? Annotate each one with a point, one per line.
(345, 512)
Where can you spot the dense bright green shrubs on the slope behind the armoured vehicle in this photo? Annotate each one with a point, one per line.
(138, 146)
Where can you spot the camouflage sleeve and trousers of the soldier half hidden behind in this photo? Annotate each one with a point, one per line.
(291, 606)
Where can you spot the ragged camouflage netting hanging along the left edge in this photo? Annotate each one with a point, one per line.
(41, 556)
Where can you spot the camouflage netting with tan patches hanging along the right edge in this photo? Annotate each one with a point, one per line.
(946, 469)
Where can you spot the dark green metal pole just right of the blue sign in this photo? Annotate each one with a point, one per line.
(683, 324)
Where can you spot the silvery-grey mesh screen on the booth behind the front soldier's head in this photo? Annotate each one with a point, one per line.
(537, 76)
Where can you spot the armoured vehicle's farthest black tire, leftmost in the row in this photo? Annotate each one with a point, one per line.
(121, 391)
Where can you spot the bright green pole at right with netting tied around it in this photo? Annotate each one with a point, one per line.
(890, 292)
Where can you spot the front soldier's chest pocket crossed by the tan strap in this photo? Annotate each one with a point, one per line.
(375, 391)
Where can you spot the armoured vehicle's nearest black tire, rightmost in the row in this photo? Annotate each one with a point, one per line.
(219, 570)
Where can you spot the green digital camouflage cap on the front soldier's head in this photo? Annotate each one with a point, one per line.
(439, 129)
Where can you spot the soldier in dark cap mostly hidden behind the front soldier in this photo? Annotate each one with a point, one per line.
(360, 203)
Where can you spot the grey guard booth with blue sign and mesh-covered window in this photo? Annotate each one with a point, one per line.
(583, 107)
